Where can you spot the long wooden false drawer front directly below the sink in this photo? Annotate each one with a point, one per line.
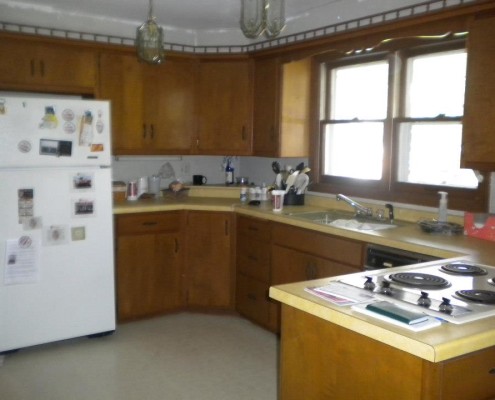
(318, 244)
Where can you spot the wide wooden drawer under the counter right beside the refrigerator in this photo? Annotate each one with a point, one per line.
(148, 223)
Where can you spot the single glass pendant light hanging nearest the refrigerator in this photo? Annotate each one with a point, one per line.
(149, 40)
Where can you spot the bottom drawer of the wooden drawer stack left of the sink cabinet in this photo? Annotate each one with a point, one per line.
(252, 299)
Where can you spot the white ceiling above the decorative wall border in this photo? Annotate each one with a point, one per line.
(187, 22)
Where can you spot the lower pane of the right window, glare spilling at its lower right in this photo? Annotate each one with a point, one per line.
(430, 154)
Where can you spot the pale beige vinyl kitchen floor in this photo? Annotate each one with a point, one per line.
(182, 356)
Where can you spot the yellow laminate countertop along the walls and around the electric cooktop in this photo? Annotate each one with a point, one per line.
(435, 345)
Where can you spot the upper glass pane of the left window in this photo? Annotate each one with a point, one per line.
(360, 91)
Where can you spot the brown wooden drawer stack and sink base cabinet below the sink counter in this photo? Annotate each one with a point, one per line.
(271, 254)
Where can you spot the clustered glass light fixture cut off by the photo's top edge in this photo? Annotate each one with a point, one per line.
(262, 16)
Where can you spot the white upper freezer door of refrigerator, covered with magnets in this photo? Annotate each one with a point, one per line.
(53, 132)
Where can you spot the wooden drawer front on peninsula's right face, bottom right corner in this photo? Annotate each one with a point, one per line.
(471, 377)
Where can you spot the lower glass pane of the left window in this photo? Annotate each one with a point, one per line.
(354, 150)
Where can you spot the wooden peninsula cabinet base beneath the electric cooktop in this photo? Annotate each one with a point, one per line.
(321, 360)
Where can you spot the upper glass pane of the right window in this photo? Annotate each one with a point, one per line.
(436, 84)
